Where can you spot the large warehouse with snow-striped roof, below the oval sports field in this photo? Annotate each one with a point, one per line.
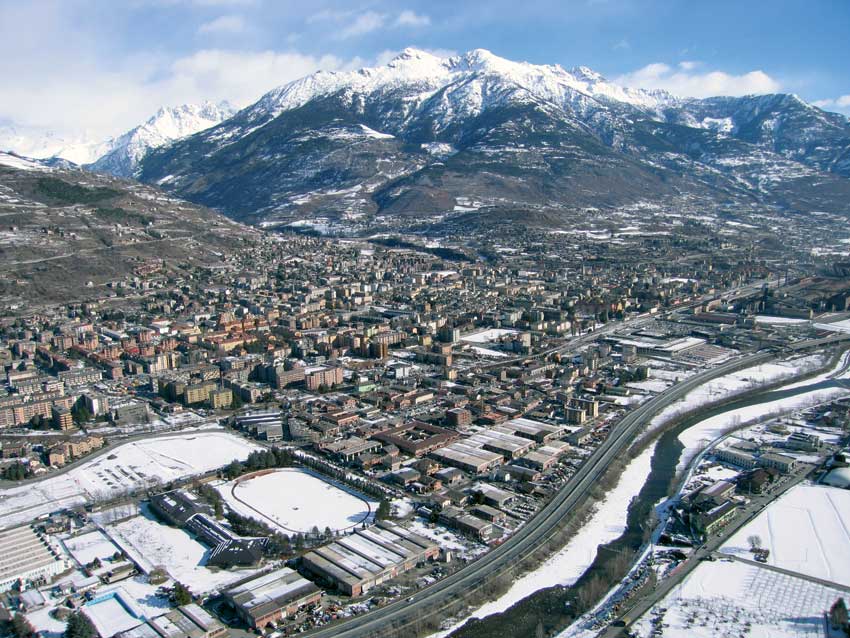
(356, 563)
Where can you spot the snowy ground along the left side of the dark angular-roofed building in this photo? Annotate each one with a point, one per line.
(151, 544)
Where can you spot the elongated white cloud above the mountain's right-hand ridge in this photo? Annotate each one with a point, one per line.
(684, 81)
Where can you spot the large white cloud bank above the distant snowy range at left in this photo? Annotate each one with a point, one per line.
(84, 96)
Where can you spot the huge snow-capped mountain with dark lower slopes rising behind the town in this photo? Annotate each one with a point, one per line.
(428, 135)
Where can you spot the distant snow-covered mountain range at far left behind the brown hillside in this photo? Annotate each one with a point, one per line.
(118, 156)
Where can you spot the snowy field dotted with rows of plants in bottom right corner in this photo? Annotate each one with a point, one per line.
(731, 599)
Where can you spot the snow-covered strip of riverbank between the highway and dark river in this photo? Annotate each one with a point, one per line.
(565, 567)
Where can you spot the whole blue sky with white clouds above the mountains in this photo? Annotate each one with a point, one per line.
(105, 65)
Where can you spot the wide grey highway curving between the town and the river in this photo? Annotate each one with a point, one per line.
(400, 614)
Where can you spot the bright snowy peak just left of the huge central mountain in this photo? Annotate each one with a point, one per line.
(167, 125)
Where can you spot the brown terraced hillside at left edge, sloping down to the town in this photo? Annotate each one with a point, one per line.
(68, 234)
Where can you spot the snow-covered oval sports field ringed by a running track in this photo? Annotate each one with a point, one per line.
(296, 500)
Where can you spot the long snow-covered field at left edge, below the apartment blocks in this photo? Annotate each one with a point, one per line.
(127, 467)
